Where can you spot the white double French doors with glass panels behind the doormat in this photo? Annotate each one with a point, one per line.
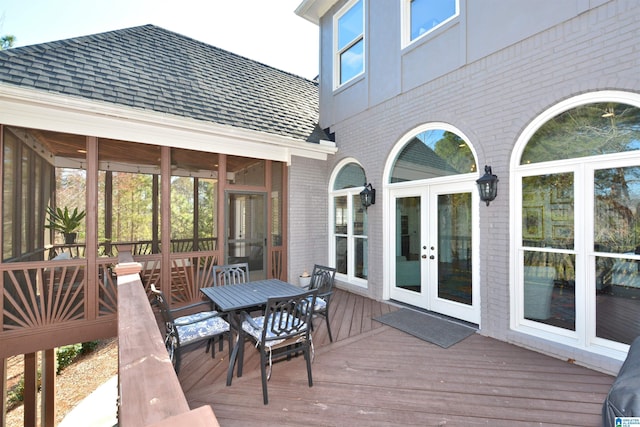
(434, 244)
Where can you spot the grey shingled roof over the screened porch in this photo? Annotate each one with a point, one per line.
(154, 69)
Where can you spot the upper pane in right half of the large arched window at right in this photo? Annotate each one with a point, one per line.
(616, 200)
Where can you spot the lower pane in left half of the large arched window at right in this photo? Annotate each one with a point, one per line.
(549, 288)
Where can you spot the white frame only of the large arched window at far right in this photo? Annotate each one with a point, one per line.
(584, 336)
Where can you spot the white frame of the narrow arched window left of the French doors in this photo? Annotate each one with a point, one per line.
(349, 193)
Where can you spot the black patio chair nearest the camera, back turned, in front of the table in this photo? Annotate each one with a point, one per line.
(283, 331)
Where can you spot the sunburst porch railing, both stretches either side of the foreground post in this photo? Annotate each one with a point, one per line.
(65, 301)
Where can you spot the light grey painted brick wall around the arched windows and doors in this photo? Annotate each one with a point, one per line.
(491, 101)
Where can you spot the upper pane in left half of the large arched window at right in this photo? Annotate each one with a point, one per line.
(547, 211)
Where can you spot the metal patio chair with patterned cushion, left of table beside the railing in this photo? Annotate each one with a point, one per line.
(190, 329)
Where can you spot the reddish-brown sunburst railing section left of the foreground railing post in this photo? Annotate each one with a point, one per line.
(45, 305)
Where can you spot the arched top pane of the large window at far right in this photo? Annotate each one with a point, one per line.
(588, 130)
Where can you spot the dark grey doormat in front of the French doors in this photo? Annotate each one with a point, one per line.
(436, 330)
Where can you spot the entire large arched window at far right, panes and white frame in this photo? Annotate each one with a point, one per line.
(577, 222)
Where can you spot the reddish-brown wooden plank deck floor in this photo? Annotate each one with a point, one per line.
(375, 375)
